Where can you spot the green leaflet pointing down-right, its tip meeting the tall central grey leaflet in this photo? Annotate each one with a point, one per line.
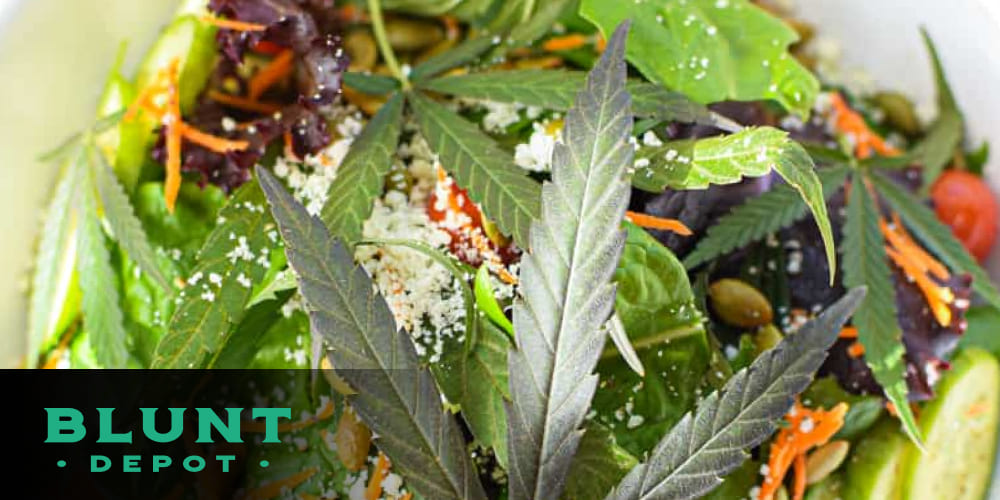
(506, 193)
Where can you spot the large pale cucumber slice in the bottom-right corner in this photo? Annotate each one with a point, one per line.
(960, 433)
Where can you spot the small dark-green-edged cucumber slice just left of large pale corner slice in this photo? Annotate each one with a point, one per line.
(873, 467)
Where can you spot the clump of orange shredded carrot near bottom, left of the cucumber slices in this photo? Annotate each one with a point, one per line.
(806, 429)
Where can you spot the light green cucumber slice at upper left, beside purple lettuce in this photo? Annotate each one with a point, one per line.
(193, 41)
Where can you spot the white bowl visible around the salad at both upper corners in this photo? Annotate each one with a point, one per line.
(55, 54)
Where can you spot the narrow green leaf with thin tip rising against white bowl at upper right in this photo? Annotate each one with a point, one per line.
(937, 148)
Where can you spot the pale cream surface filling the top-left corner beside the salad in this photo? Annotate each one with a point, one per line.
(54, 55)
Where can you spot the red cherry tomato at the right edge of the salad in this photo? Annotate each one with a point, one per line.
(965, 203)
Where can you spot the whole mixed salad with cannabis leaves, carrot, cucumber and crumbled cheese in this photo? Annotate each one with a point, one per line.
(564, 249)
